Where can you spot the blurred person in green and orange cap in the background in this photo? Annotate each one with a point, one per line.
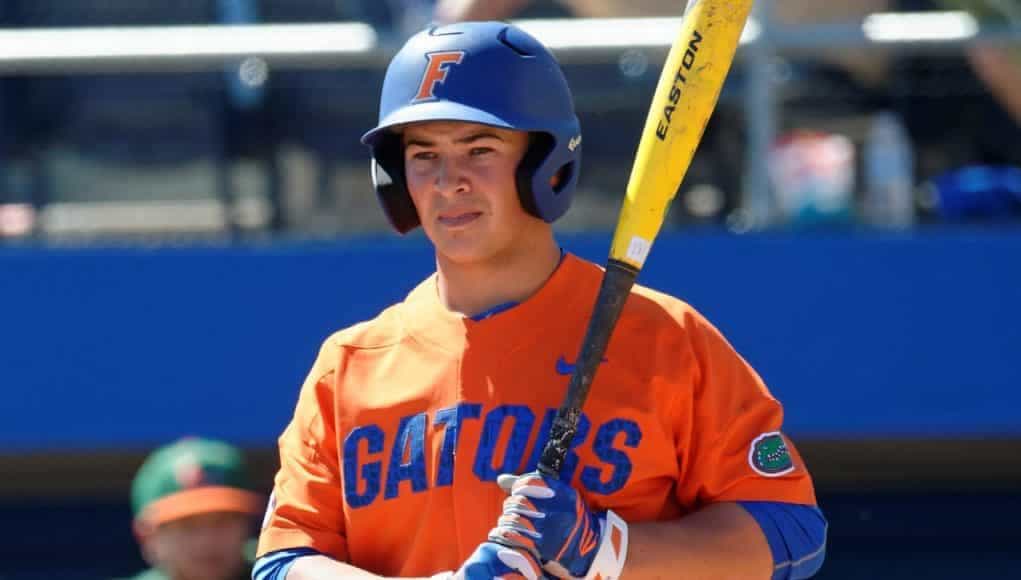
(195, 512)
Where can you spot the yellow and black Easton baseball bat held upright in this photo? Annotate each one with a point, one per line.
(686, 96)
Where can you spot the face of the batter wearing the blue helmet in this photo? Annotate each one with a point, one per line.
(462, 180)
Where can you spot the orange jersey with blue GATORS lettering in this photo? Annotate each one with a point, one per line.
(406, 421)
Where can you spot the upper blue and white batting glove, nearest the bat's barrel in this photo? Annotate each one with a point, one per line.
(547, 517)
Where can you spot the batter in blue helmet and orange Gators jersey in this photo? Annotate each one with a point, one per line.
(414, 447)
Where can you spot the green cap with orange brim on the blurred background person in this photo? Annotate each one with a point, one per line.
(189, 477)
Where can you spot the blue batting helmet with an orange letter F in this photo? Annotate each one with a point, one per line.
(489, 73)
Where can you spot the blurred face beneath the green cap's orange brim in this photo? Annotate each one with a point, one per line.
(209, 547)
